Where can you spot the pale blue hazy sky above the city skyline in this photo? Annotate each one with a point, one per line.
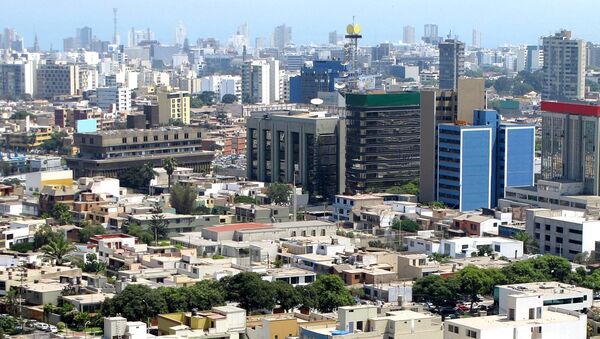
(500, 22)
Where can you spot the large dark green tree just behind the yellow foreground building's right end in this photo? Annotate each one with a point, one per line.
(250, 291)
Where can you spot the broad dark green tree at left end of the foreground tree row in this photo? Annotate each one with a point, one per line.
(136, 303)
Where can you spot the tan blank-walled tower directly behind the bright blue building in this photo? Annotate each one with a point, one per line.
(439, 107)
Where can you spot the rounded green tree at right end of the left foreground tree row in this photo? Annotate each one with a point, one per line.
(328, 293)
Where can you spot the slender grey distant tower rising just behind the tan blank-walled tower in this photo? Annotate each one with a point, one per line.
(452, 63)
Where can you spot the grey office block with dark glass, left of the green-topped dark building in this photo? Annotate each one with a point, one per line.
(310, 144)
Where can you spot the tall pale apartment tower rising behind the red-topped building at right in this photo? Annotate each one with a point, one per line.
(564, 67)
